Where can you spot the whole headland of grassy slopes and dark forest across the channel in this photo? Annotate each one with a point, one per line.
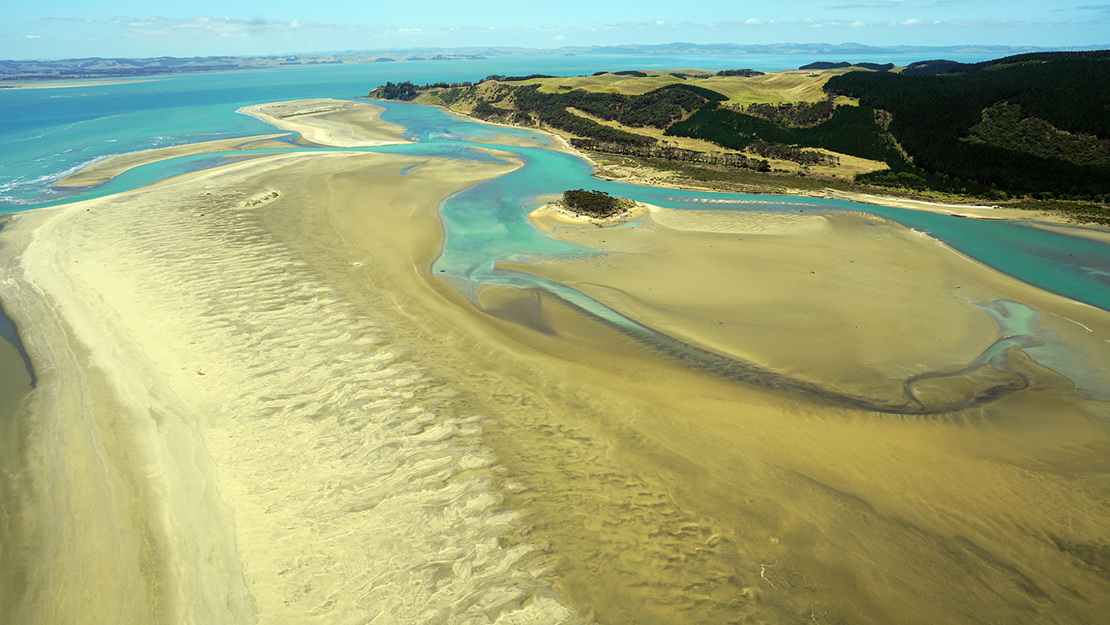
(1031, 126)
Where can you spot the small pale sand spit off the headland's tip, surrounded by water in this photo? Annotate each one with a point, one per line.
(324, 122)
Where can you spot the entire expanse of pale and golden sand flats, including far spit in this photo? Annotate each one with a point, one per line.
(258, 405)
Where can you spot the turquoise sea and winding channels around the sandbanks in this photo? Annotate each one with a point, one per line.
(53, 133)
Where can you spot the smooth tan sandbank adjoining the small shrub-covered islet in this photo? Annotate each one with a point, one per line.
(824, 297)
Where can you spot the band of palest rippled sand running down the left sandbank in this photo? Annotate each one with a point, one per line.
(359, 496)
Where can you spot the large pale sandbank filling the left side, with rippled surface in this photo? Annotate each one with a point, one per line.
(189, 456)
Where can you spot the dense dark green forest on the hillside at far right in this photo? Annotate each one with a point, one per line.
(1033, 124)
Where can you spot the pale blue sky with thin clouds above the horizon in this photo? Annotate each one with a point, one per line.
(59, 29)
